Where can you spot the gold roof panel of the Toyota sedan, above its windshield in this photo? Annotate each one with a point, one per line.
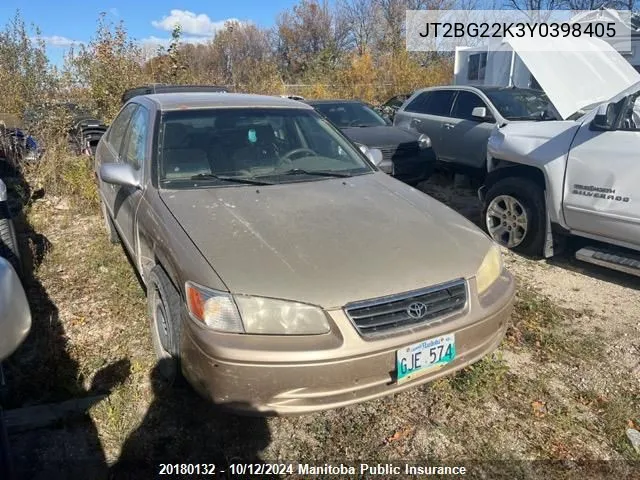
(201, 100)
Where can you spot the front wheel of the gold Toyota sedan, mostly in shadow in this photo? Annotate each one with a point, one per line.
(164, 312)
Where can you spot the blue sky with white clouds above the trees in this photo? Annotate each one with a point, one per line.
(62, 24)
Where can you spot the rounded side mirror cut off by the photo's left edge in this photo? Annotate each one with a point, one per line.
(15, 316)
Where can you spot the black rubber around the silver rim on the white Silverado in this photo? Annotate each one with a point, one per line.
(530, 196)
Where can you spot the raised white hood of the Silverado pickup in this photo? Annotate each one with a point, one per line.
(573, 78)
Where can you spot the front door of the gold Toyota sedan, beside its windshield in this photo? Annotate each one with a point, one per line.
(135, 151)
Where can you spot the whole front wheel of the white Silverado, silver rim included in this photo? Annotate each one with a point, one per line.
(514, 215)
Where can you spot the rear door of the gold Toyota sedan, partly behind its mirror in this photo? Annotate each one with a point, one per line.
(109, 152)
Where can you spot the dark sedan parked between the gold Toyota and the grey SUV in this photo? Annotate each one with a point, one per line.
(412, 155)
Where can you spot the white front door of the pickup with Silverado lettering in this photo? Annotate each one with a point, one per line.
(601, 183)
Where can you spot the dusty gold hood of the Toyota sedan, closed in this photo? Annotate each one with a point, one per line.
(328, 242)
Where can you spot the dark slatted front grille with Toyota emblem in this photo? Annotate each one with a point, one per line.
(387, 314)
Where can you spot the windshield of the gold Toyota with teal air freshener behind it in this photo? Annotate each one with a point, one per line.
(221, 147)
